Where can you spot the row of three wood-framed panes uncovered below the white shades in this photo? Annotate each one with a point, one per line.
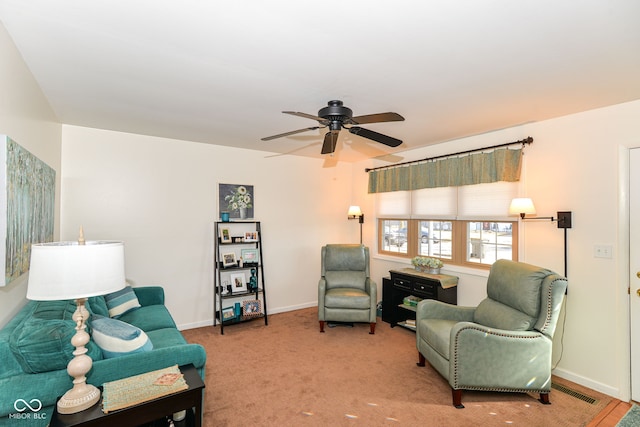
(473, 243)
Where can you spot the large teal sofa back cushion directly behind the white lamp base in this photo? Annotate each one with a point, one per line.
(42, 342)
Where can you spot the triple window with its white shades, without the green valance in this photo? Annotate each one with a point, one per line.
(465, 225)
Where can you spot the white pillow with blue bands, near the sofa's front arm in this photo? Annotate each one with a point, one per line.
(117, 338)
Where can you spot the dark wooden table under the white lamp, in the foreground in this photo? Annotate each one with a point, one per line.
(144, 412)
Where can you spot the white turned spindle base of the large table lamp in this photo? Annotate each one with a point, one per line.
(82, 396)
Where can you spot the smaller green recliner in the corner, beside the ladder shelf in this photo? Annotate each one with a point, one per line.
(346, 293)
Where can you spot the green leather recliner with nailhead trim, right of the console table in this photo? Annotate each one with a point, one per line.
(505, 343)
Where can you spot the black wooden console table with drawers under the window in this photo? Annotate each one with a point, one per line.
(410, 282)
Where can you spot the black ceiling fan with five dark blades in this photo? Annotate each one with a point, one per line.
(335, 115)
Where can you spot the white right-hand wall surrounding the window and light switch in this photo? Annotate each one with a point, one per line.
(575, 165)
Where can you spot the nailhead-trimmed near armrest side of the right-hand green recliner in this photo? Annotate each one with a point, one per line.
(484, 358)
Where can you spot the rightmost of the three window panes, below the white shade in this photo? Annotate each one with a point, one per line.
(489, 241)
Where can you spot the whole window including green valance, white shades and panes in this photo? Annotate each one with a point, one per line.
(455, 209)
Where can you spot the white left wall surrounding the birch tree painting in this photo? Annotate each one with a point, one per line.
(25, 116)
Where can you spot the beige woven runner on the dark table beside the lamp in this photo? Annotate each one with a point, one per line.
(142, 388)
